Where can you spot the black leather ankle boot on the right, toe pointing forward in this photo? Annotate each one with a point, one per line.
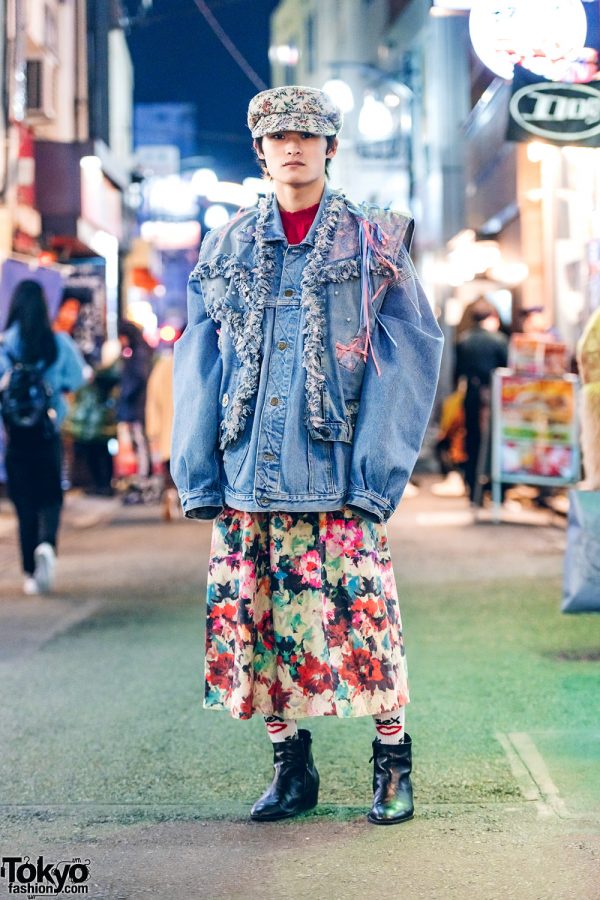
(392, 790)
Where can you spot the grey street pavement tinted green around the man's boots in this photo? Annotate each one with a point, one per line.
(106, 753)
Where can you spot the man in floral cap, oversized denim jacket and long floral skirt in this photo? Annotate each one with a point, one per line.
(303, 386)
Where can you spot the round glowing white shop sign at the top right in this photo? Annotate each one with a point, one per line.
(543, 37)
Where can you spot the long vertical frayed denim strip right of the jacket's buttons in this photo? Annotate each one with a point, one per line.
(313, 303)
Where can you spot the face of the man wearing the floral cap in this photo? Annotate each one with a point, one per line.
(296, 158)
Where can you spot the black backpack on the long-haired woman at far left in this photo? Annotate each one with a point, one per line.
(25, 396)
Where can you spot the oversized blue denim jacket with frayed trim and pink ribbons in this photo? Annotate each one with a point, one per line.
(306, 374)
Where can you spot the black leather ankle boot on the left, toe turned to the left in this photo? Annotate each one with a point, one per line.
(295, 787)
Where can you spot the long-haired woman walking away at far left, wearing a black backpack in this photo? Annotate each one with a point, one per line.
(37, 367)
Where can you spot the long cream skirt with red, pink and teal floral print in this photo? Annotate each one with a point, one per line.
(302, 617)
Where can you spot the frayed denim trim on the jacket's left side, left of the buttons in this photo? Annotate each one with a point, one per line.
(254, 289)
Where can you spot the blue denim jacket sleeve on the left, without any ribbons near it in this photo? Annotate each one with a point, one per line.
(195, 456)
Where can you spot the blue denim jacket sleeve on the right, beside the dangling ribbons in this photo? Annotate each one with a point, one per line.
(396, 404)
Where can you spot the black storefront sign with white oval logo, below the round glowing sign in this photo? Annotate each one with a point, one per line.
(564, 114)
